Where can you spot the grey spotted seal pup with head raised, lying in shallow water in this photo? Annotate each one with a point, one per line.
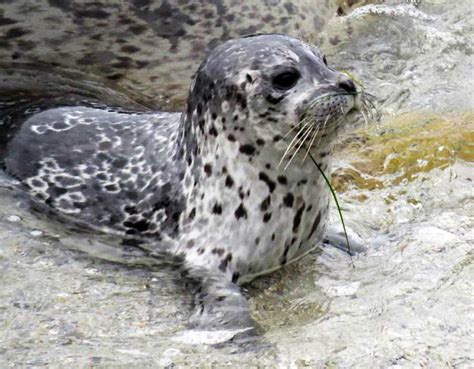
(224, 185)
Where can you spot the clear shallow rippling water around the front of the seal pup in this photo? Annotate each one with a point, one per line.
(406, 191)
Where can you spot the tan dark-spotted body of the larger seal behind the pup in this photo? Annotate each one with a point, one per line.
(152, 46)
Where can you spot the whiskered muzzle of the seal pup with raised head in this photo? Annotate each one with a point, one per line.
(322, 116)
